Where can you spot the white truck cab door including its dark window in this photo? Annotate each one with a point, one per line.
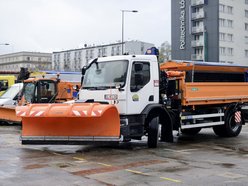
(141, 91)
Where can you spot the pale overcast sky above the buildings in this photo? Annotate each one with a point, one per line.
(54, 25)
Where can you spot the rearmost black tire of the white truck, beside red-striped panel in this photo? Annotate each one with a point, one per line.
(230, 128)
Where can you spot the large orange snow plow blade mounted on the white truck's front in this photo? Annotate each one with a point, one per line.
(77, 123)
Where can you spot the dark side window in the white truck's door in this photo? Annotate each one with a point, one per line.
(140, 75)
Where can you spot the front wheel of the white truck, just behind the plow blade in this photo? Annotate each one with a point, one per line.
(153, 132)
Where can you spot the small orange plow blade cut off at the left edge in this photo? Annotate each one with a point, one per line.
(8, 114)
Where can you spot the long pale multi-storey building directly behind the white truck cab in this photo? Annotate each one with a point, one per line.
(75, 59)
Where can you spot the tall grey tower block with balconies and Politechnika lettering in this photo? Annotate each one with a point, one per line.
(210, 30)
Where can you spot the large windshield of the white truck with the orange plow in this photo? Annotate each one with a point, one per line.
(103, 75)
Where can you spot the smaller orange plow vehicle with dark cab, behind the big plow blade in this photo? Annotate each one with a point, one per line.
(38, 90)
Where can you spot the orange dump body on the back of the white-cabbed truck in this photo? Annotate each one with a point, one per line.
(206, 93)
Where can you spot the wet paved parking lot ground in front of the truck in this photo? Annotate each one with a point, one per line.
(204, 159)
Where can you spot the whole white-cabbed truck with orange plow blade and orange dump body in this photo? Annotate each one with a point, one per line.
(139, 98)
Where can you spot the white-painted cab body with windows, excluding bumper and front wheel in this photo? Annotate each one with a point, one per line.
(130, 82)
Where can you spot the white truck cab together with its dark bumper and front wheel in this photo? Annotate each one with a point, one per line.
(131, 83)
